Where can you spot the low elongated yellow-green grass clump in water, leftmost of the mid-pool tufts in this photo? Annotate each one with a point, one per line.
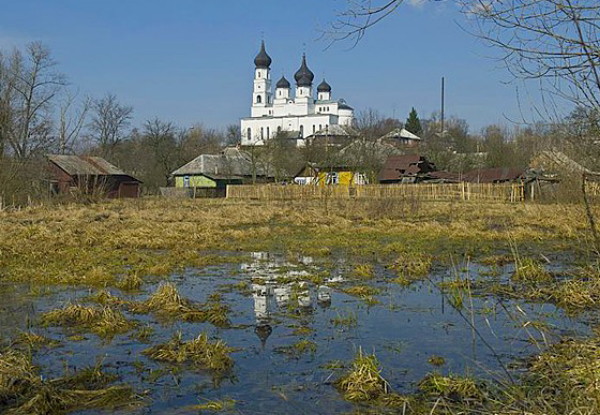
(105, 321)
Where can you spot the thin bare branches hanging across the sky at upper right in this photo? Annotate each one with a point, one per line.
(554, 41)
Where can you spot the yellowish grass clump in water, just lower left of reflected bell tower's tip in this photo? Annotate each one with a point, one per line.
(201, 352)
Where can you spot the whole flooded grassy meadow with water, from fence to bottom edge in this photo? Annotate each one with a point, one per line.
(186, 307)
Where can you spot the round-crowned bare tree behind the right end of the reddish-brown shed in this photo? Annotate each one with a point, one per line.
(109, 124)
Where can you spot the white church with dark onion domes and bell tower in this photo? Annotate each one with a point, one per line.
(299, 115)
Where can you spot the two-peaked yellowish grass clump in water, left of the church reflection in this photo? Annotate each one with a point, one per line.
(168, 303)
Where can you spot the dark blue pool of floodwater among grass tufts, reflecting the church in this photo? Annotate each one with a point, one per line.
(274, 304)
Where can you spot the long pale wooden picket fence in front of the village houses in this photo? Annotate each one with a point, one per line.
(510, 192)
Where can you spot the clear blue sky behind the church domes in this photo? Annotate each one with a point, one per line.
(190, 61)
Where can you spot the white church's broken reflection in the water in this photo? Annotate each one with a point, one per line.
(271, 296)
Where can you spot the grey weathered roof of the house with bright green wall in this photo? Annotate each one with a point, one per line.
(232, 162)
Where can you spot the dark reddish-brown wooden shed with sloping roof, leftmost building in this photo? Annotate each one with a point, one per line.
(90, 175)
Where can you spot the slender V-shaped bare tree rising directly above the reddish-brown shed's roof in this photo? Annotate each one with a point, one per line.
(71, 120)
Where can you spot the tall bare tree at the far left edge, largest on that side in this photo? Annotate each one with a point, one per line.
(28, 85)
